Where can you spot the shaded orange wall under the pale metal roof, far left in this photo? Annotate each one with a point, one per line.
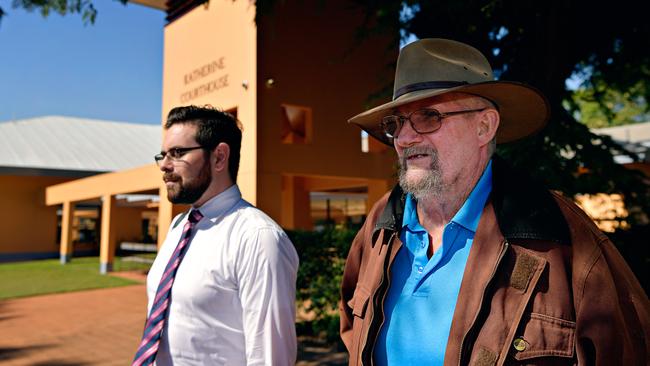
(26, 223)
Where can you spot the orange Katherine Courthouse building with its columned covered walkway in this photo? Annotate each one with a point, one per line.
(293, 79)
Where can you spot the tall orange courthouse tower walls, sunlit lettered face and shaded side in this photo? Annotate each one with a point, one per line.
(216, 54)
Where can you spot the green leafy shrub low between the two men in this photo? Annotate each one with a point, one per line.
(322, 258)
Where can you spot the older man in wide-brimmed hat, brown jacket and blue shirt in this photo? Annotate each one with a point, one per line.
(467, 262)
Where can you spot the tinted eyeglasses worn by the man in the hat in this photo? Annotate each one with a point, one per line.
(422, 121)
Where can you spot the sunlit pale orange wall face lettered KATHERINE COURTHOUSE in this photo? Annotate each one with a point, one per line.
(212, 50)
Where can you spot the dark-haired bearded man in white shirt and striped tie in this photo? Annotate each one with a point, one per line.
(222, 288)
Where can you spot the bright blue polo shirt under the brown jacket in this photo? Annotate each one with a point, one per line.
(422, 295)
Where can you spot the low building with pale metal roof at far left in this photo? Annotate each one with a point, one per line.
(40, 152)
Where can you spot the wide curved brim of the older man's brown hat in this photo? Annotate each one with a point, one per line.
(524, 110)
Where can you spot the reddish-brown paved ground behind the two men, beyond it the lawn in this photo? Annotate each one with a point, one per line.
(95, 327)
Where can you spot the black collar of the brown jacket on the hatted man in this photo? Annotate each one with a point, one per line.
(523, 207)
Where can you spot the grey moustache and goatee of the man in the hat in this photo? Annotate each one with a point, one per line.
(429, 185)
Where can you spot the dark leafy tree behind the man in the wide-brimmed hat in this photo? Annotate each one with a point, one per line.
(545, 43)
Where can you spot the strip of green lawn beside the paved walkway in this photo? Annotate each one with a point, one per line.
(42, 277)
